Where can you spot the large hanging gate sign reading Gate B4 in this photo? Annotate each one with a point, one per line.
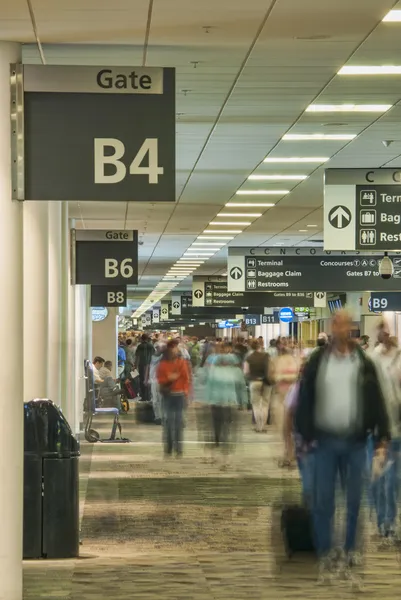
(93, 133)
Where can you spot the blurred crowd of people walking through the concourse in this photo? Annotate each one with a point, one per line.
(335, 406)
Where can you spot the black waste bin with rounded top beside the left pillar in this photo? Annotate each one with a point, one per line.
(51, 483)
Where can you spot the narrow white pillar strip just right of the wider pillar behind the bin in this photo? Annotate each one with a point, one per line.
(54, 374)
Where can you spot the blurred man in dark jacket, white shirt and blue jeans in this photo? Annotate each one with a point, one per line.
(340, 403)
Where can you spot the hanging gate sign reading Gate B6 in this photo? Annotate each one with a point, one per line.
(104, 257)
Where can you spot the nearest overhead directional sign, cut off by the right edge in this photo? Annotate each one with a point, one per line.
(362, 209)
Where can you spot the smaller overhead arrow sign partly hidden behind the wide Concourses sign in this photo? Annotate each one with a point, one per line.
(213, 291)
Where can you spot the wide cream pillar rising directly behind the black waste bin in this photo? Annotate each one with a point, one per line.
(36, 299)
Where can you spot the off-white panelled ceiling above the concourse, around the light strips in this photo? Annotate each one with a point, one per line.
(242, 83)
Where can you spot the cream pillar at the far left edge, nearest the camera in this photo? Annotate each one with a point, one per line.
(11, 335)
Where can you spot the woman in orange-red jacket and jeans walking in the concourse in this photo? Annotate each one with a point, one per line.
(174, 380)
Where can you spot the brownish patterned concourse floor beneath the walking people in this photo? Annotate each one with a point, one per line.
(184, 529)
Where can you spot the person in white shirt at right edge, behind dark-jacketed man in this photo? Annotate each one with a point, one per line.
(385, 480)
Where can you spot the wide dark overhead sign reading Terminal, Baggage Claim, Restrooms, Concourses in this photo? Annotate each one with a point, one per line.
(304, 269)
